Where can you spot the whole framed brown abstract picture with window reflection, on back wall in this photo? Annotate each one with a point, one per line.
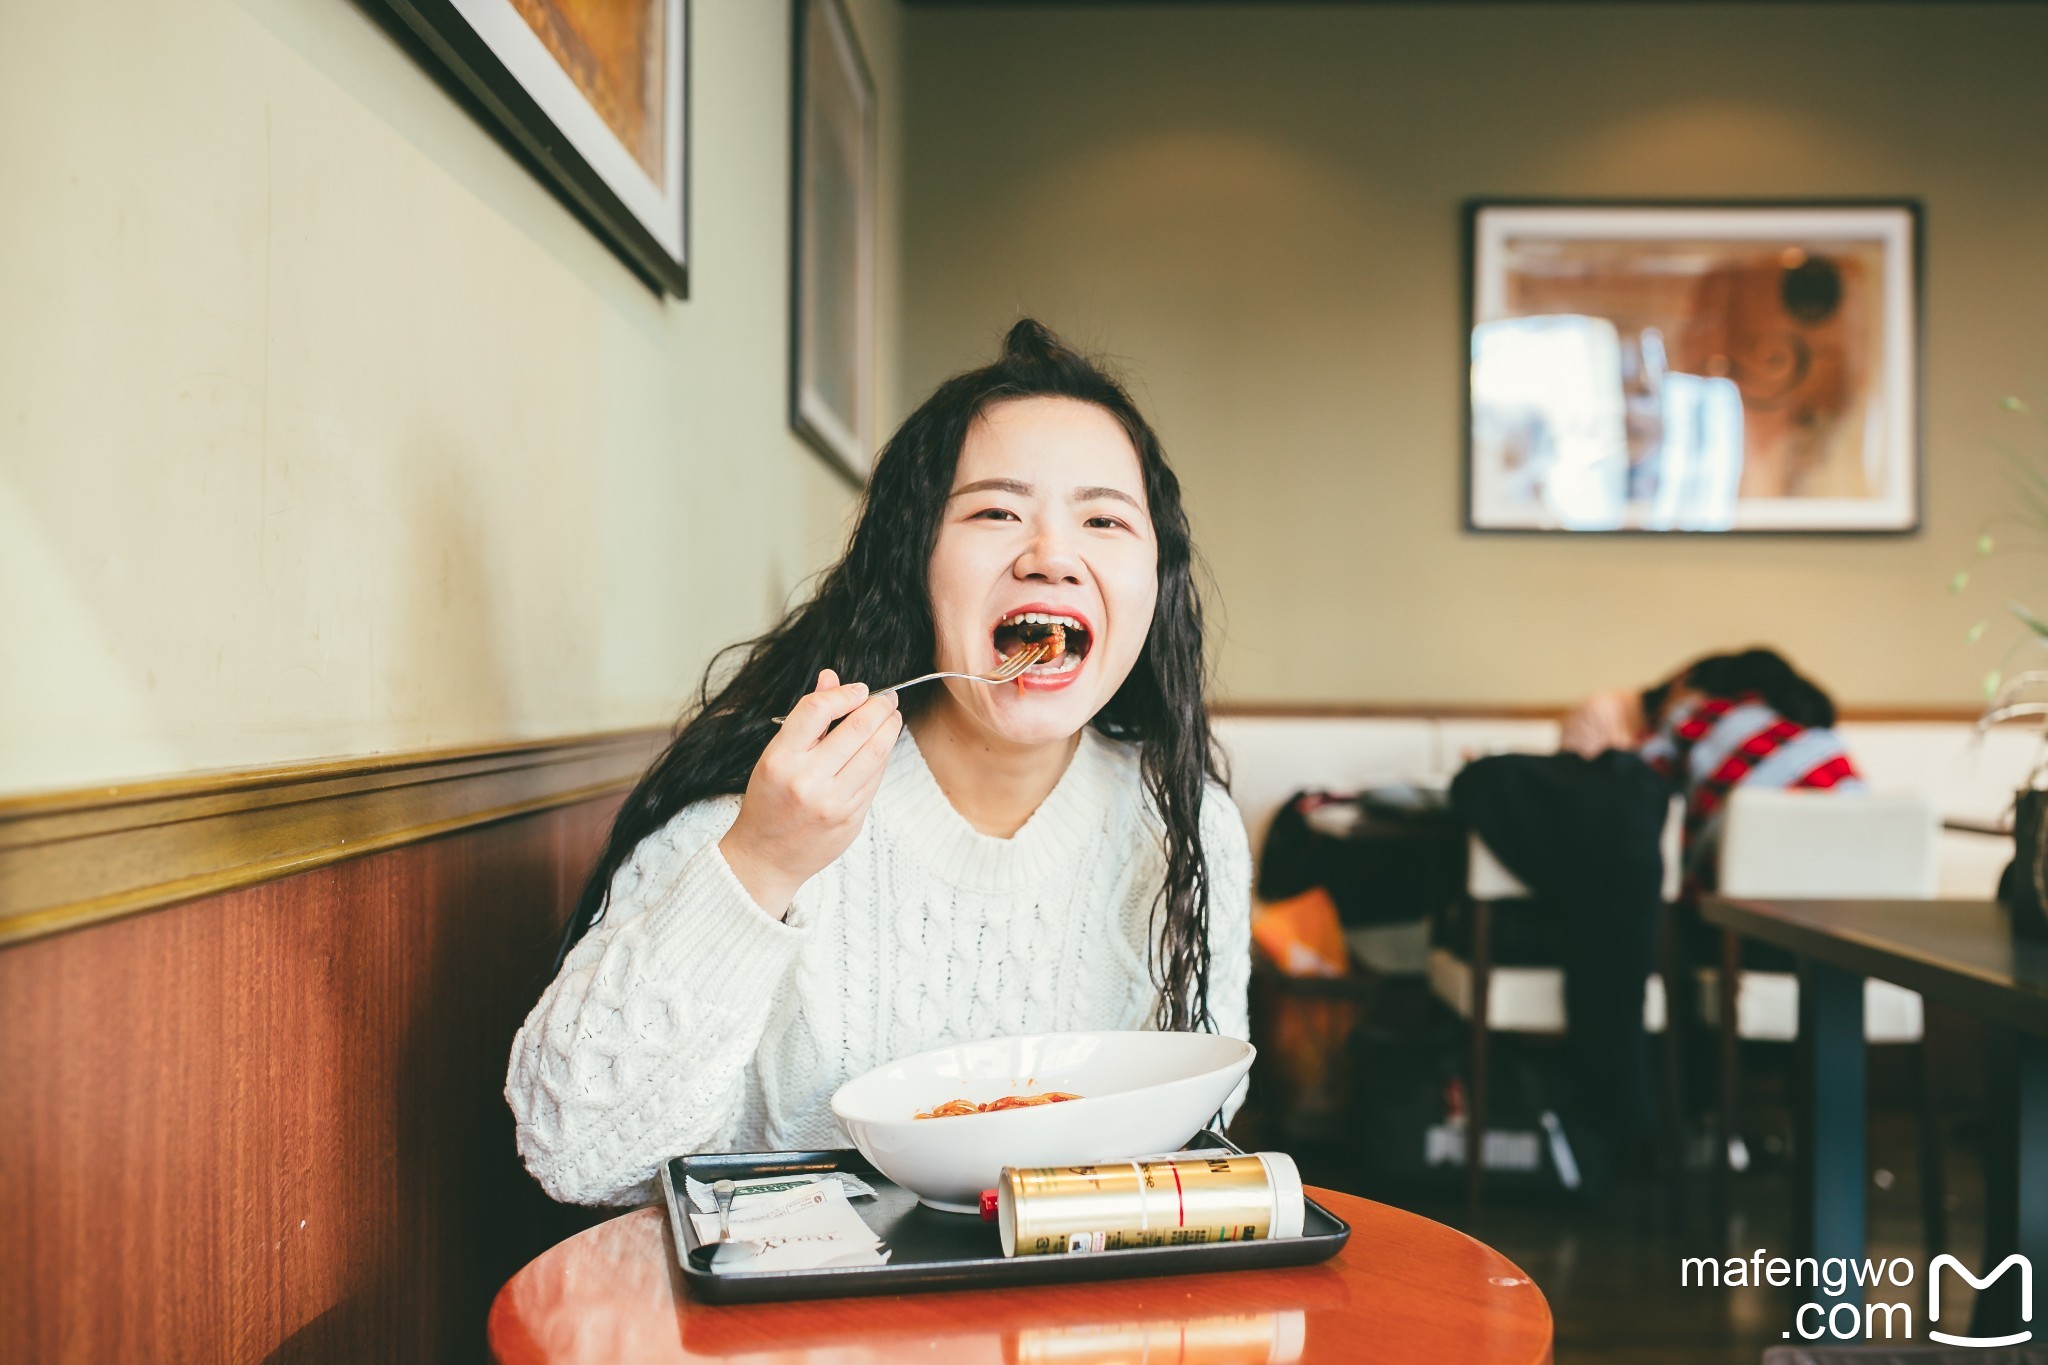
(1693, 367)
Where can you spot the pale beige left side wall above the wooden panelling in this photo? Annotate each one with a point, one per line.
(327, 431)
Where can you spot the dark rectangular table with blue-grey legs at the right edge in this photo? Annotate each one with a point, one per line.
(1957, 953)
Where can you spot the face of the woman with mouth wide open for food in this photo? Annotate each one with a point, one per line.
(1048, 519)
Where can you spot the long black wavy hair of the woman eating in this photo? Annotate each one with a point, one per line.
(886, 578)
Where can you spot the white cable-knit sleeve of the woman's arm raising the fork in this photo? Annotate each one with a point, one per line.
(642, 1047)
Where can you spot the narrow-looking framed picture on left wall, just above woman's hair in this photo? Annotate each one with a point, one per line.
(833, 251)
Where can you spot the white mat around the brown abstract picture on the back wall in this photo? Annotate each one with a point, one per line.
(1897, 423)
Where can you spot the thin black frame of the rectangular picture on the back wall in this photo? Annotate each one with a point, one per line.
(1902, 359)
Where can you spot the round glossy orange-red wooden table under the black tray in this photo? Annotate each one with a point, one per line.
(1402, 1290)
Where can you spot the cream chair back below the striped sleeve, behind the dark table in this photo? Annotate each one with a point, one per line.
(1830, 844)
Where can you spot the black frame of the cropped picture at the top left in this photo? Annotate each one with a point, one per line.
(458, 54)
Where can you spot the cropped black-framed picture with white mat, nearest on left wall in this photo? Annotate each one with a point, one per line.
(593, 97)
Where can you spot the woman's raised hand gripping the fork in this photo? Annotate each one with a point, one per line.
(812, 789)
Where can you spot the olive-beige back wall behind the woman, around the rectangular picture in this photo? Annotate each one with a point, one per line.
(1258, 210)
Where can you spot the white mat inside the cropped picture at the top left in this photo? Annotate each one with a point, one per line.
(658, 208)
